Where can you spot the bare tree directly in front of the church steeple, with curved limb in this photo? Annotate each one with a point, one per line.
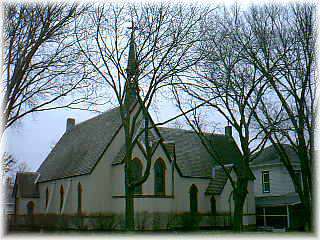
(135, 50)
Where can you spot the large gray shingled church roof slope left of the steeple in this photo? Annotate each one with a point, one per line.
(78, 150)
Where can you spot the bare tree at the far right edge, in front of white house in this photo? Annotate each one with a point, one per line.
(280, 43)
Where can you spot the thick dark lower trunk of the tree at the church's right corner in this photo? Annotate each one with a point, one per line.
(239, 197)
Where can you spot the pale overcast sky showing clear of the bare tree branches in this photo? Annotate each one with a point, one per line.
(32, 139)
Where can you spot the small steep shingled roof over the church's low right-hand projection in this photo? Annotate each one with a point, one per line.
(217, 183)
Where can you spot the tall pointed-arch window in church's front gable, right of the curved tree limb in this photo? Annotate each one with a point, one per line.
(159, 177)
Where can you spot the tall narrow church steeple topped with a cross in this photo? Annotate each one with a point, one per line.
(132, 70)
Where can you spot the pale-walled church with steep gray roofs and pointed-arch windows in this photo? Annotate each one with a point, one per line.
(84, 176)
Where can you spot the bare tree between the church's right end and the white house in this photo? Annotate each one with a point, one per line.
(233, 89)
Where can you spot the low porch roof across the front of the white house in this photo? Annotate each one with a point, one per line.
(287, 199)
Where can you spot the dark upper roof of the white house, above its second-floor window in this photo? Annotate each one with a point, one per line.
(269, 155)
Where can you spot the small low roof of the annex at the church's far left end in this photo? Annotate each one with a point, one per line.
(26, 182)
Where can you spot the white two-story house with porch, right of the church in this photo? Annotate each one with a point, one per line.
(278, 204)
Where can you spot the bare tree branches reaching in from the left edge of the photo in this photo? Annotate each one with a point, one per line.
(39, 64)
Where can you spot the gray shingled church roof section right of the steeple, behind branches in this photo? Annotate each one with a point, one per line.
(191, 156)
